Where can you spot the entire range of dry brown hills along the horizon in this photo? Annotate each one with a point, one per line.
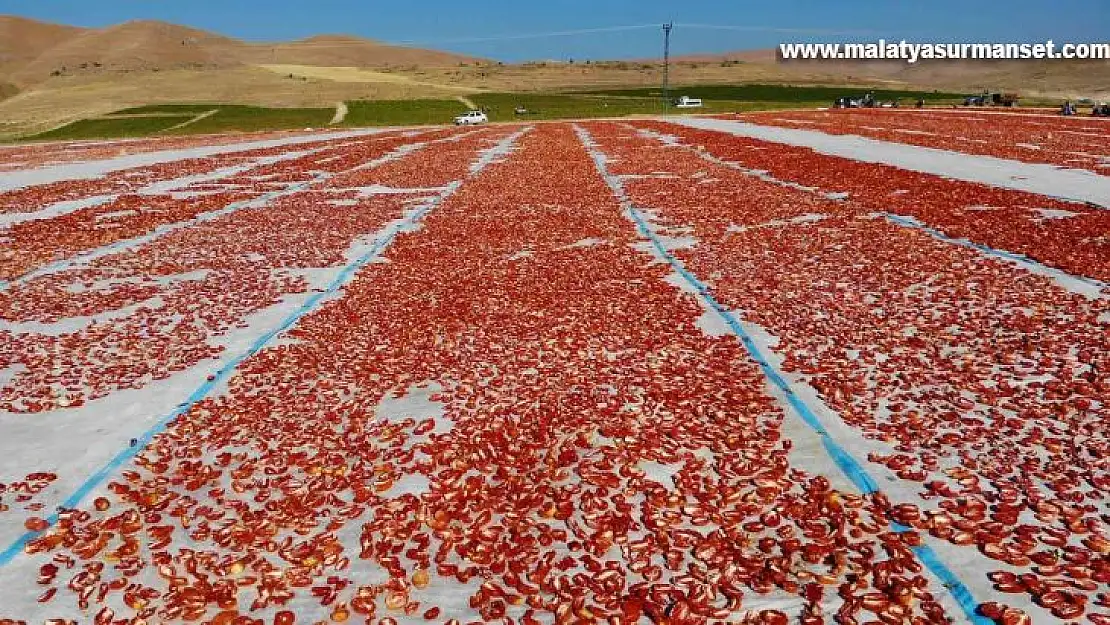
(52, 75)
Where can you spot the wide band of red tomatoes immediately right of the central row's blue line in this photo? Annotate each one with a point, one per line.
(986, 385)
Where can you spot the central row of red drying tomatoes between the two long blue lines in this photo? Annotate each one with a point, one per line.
(516, 420)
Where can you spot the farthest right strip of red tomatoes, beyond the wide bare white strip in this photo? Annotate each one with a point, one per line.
(1069, 143)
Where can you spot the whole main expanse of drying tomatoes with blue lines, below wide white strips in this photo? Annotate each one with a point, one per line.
(566, 374)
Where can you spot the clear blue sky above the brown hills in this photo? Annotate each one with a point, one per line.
(465, 26)
